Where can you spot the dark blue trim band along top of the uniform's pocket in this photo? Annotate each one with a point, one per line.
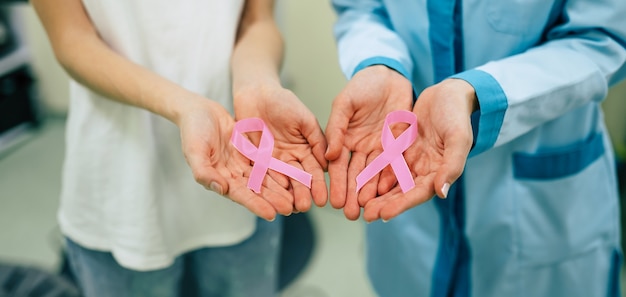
(559, 163)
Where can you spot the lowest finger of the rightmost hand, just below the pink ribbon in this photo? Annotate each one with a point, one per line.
(400, 202)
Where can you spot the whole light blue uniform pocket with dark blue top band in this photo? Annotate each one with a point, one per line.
(566, 202)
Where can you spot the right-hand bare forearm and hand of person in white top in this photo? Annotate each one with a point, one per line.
(298, 138)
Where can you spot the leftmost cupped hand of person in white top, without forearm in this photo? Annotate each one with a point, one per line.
(205, 128)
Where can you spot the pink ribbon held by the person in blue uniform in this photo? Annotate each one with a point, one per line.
(392, 151)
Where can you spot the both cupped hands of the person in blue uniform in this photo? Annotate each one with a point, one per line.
(436, 158)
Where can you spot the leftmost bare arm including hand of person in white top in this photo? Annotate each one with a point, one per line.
(205, 126)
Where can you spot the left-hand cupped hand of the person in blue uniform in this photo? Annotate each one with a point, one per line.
(354, 133)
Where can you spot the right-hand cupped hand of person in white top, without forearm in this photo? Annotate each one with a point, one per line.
(298, 138)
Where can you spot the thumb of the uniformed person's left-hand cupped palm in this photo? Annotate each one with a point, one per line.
(336, 128)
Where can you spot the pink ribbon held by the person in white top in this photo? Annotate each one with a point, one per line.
(262, 155)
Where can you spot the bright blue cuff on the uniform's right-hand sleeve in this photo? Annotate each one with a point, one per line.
(486, 122)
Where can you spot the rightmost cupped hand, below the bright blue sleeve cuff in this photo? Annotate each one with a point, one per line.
(438, 156)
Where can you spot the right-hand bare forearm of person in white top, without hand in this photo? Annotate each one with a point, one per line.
(258, 52)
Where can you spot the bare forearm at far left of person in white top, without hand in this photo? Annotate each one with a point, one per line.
(91, 62)
